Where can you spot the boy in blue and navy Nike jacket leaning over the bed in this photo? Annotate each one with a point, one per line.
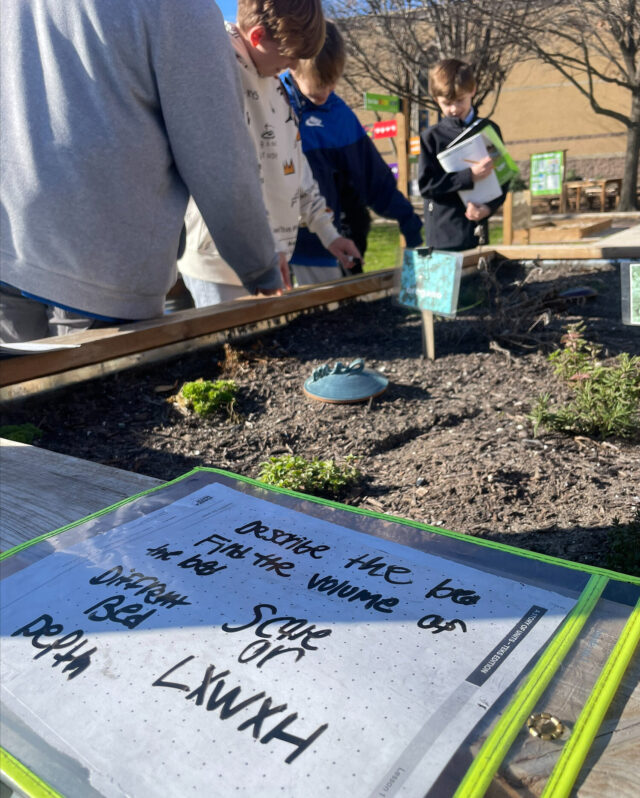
(339, 152)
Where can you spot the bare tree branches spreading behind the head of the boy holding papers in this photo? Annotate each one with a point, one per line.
(394, 42)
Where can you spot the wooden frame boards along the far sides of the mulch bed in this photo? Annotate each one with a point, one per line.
(111, 349)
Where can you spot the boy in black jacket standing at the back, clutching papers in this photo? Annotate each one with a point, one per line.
(448, 223)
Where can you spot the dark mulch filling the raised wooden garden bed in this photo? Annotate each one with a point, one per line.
(448, 444)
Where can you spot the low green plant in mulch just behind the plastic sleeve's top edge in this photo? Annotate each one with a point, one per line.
(322, 478)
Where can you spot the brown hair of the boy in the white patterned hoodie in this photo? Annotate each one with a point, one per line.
(296, 25)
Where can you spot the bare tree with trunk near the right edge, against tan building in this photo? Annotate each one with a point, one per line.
(595, 45)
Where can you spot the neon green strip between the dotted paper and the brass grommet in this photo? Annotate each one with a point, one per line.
(495, 747)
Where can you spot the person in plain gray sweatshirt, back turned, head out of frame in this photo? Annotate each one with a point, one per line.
(113, 114)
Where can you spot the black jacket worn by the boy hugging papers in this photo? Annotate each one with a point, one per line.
(445, 225)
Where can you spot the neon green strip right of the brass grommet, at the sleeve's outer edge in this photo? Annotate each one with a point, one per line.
(574, 753)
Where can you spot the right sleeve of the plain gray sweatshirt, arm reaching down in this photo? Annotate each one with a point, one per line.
(201, 104)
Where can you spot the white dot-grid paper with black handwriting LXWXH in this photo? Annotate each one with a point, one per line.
(197, 698)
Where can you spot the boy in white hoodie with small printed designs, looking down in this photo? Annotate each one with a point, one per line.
(270, 35)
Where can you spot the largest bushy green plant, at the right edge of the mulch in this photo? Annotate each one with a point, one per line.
(606, 399)
